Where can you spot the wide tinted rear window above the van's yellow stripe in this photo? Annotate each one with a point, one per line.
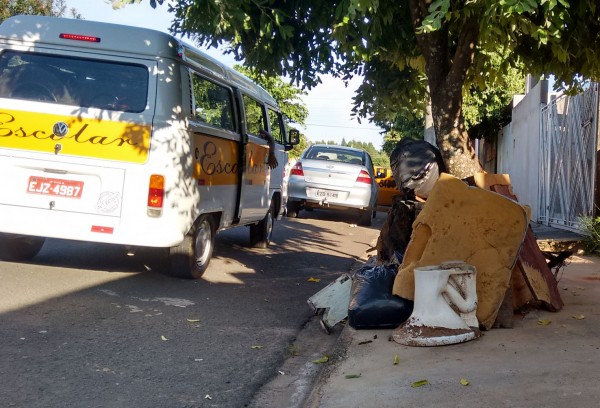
(86, 83)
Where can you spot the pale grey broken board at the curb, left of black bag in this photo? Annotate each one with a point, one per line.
(333, 300)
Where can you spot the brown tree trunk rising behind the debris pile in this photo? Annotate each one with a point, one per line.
(446, 74)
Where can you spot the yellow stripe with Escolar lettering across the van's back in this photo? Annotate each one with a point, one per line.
(98, 138)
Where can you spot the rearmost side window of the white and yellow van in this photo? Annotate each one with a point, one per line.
(213, 103)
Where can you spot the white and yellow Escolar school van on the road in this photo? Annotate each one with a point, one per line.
(128, 136)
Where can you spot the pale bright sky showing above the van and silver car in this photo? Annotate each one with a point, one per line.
(329, 103)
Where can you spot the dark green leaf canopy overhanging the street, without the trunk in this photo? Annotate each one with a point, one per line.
(302, 40)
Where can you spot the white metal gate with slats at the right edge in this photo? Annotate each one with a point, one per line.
(568, 132)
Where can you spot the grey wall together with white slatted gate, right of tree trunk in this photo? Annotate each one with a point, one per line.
(549, 151)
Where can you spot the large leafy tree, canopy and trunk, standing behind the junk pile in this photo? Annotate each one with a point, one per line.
(404, 47)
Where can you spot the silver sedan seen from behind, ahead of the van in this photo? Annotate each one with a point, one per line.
(334, 177)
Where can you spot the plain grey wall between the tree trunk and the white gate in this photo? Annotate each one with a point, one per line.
(518, 147)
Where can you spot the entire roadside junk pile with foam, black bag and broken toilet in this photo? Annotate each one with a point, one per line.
(437, 220)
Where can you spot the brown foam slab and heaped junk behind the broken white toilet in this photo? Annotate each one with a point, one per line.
(480, 224)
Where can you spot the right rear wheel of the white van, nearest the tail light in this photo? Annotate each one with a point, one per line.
(190, 259)
